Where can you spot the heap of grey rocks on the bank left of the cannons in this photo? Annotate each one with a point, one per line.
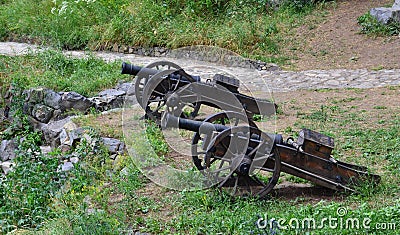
(50, 112)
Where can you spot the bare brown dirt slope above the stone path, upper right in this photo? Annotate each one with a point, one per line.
(337, 42)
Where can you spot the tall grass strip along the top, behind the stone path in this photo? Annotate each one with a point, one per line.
(251, 28)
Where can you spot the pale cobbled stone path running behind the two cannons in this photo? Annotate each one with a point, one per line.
(276, 81)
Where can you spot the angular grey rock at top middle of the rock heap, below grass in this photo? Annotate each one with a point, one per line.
(75, 101)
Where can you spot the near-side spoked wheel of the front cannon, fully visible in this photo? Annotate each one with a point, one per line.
(243, 167)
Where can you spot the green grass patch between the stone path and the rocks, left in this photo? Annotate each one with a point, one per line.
(56, 71)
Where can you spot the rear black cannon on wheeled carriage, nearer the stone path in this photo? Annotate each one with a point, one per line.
(158, 80)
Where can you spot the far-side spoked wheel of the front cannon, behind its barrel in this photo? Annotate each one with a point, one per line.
(229, 119)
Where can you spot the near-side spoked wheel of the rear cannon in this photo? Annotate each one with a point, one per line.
(157, 91)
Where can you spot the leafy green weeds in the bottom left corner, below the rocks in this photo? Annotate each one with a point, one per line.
(28, 189)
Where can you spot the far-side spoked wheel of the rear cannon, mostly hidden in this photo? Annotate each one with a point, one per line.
(142, 78)
